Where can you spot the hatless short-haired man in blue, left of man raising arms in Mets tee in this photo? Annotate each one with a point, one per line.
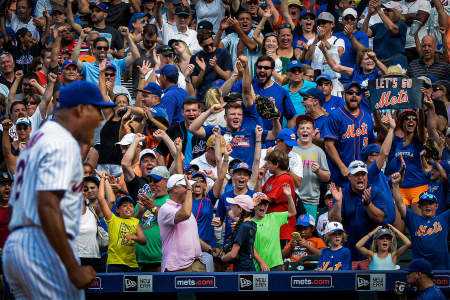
(193, 146)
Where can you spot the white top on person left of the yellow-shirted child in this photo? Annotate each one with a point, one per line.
(86, 241)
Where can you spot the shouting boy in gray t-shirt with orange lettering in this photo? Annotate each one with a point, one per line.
(315, 166)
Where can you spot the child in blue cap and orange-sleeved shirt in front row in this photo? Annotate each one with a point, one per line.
(308, 243)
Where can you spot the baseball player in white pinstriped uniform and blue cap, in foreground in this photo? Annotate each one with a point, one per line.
(38, 257)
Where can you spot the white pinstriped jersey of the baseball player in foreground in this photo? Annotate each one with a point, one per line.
(50, 161)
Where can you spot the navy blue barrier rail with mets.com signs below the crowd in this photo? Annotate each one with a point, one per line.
(343, 281)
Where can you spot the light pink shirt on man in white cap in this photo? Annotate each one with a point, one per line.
(180, 242)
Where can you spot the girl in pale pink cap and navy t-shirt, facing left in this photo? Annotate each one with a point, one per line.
(243, 236)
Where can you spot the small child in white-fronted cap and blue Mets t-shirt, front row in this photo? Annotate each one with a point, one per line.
(336, 257)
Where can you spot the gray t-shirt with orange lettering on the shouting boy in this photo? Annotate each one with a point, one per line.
(309, 191)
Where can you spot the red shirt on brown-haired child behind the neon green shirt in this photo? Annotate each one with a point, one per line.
(273, 188)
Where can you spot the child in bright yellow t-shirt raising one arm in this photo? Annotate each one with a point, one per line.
(124, 231)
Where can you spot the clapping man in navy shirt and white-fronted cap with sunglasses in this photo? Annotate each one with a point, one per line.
(360, 208)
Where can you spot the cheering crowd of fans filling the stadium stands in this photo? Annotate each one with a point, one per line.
(243, 136)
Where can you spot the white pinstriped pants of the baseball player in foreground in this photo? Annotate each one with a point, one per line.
(33, 268)
